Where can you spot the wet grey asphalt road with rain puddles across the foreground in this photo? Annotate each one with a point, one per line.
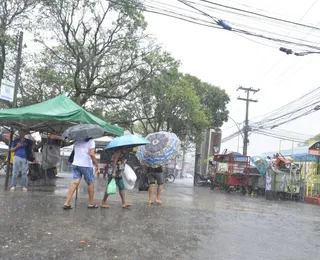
(192, 223)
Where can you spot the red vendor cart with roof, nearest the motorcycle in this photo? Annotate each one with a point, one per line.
(232, 172)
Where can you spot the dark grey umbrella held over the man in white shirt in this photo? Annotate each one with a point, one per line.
(82, 131)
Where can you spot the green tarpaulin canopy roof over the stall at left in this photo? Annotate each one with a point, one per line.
(53, 115)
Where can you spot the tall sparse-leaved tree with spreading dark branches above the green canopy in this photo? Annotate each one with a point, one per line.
(100, 45)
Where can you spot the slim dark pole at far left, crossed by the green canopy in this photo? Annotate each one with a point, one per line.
(16, 85)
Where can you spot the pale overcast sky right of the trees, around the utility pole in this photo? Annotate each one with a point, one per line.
(228, 60)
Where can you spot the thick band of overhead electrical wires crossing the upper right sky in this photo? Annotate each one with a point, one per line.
(244, 22)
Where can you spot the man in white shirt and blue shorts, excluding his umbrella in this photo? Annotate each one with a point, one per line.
(82, 165)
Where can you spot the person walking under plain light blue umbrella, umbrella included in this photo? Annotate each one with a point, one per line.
(118, 163)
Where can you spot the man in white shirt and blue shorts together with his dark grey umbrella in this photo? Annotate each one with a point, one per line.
(83, 160)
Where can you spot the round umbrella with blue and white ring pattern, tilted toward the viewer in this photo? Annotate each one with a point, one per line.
(163, 147)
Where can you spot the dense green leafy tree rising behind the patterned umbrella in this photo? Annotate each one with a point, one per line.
(170, 102)
